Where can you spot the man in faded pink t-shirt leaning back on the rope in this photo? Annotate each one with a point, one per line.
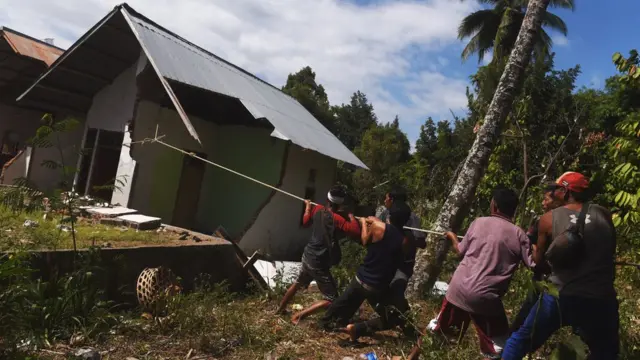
(491, 251)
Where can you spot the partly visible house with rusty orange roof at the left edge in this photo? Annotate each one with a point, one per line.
(22, 60)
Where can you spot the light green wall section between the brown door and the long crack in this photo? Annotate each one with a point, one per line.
(227, 199)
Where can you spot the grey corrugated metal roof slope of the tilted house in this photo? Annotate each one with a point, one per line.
(181, 61)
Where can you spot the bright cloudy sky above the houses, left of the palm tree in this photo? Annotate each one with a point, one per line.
(349, 47)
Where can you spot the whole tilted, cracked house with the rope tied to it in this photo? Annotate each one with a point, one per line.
(128, 76)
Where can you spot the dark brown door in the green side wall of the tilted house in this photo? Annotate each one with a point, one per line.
(188, 196)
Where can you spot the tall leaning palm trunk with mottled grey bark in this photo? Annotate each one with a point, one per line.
(429, 262)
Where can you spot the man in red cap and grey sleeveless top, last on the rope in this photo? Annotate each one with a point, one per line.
(587, 297)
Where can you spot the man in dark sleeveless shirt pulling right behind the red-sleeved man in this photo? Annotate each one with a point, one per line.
(384, 255)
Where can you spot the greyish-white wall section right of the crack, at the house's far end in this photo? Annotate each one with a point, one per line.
(277, 229)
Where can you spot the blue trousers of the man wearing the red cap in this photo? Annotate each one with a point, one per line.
(594, 320)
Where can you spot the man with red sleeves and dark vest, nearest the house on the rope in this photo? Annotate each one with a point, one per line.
(328, 226)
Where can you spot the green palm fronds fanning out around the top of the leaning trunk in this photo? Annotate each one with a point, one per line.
(498, 28)
